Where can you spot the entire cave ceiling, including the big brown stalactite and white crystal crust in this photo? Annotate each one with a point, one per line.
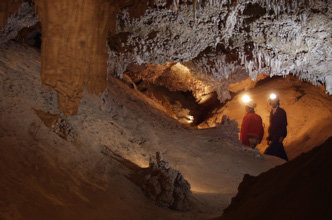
(219, 42)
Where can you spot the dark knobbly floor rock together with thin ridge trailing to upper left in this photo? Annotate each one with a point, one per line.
(163, 185)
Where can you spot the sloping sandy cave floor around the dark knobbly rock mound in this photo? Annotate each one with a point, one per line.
(59, 171)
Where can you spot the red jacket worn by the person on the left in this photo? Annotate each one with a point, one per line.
(252, 126)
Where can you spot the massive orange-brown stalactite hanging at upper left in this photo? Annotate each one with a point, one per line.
(74, 55)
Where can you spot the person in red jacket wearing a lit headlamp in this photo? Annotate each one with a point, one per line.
(252, 130)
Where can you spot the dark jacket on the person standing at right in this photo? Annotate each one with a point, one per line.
(278, 125)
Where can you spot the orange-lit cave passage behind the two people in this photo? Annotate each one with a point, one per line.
(189, 100)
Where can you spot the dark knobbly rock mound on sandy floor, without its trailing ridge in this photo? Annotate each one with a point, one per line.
(166, 186)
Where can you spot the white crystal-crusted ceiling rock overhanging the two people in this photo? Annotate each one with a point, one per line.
(229, 41)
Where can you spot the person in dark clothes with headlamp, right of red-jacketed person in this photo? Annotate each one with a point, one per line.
(277, 129)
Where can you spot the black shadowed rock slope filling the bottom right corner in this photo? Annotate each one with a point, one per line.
(299, 189)
